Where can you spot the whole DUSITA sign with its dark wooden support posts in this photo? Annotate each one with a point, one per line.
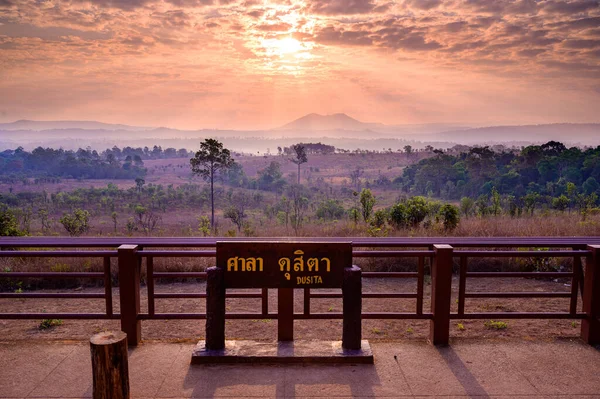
(284, 266)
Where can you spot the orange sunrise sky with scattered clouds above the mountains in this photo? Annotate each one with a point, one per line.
(259, 64)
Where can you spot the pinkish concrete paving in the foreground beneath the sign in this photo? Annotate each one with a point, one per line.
(465, 369)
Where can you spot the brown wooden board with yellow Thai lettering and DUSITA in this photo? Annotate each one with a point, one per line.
(283, 264)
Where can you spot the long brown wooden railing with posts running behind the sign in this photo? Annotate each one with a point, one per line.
(438, 253)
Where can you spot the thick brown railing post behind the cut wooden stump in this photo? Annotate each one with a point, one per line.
(129, 292)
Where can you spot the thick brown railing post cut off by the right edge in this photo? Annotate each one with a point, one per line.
(590, 325)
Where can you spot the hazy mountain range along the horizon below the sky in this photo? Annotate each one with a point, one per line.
(339, 130)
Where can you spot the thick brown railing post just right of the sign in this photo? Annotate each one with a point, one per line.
(441, 292)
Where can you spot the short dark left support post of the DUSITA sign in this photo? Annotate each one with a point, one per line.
(215, 308)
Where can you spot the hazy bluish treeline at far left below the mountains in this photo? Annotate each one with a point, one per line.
(113, 163)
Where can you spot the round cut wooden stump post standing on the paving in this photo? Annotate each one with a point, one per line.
(110, 365)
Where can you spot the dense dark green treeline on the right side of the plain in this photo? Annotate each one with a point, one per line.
(548, 169)
